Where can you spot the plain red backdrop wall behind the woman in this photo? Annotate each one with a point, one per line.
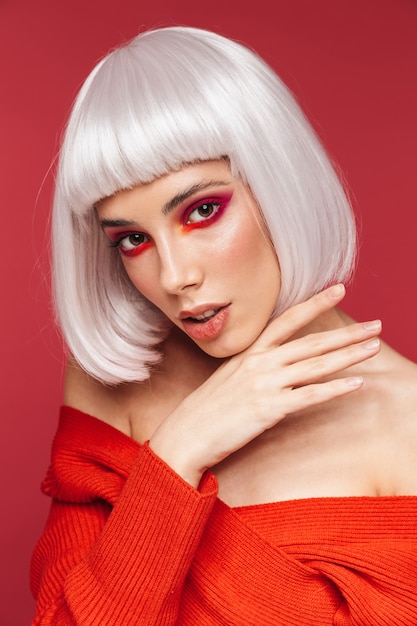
(352, 64)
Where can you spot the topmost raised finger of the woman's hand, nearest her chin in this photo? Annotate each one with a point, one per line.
(298, 316)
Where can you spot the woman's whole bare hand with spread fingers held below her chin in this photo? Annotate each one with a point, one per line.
(257, 388)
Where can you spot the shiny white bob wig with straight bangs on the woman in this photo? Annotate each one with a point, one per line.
(169, 97)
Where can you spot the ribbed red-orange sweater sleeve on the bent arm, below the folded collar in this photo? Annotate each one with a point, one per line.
(99, 564)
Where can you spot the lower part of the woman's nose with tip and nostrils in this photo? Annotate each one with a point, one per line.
(180, 269)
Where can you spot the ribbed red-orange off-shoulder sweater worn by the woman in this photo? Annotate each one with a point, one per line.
(128, 542)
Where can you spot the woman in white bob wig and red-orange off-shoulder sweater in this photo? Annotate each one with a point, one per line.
(228, 450)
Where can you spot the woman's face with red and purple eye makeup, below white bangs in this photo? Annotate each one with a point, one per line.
(192, 243)
